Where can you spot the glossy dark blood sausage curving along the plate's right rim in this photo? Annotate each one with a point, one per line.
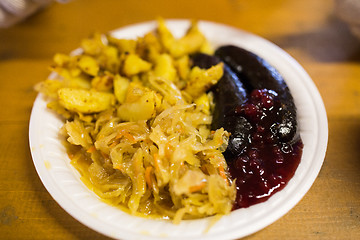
(256, 73)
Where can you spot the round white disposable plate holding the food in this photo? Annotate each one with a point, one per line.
(63, 183)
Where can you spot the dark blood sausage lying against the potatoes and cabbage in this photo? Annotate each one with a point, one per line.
(229, 93)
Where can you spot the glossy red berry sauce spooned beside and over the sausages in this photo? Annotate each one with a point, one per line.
(267, 164)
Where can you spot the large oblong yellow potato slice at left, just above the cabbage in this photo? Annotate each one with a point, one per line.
(85, 101)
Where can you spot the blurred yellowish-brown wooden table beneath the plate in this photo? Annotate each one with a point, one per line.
(306, 29)
